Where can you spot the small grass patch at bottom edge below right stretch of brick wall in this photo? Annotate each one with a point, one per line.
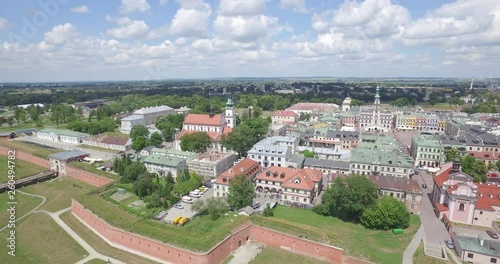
(271, 255)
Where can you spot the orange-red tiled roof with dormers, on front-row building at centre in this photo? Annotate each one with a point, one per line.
(303, 179)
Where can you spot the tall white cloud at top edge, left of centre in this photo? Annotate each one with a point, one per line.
(191, 19)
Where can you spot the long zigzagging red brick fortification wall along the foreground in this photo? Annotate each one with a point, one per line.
(217, 254)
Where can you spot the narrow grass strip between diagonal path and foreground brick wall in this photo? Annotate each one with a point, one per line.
(100, 245)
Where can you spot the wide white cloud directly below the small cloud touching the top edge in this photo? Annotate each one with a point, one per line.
(246, 29)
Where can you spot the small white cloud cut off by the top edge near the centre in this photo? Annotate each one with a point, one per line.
(242, 7)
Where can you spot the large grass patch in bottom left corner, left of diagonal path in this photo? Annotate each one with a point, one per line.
(40, 240)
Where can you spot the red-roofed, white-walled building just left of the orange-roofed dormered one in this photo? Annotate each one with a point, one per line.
(247, 166)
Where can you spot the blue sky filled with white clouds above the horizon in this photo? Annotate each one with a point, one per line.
(93, 40)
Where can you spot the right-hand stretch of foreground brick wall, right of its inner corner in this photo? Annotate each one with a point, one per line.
(295, 244)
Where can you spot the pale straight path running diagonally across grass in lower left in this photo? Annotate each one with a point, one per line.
(92, 253)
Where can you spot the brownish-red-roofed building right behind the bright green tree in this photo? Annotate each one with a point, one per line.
(405, 190)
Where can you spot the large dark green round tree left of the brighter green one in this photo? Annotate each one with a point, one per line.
(348, 198)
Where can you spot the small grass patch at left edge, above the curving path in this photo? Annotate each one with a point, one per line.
(24, 205)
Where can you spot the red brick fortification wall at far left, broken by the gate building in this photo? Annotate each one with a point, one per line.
(80, 175)
